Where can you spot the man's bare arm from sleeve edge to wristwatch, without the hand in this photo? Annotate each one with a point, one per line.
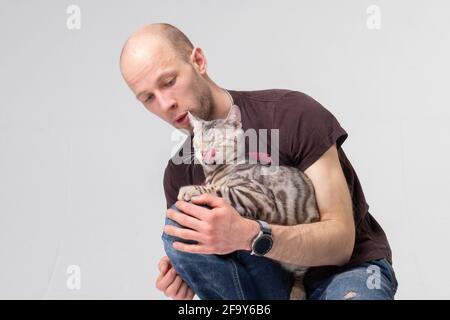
(329, 241)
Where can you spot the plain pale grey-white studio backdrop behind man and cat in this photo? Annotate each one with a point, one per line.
(81, 161)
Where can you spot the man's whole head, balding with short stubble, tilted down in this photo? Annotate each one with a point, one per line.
(167, 74)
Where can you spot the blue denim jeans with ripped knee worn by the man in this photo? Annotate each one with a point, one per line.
(241, 276)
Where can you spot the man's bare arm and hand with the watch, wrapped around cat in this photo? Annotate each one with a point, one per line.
(222, 229)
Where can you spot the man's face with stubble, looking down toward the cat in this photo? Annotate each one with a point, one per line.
(166, 85)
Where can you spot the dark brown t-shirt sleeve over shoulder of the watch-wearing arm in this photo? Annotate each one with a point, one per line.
(313, 131)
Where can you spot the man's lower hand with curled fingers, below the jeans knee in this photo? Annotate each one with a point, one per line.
(171, 283)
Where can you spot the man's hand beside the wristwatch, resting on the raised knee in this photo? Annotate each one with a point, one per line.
(219, 230)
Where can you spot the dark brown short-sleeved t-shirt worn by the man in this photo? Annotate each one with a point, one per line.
(306, 131)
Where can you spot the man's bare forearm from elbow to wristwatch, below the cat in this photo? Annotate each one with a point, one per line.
(327, 242)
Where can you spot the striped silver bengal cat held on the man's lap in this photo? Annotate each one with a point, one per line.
(283, 197)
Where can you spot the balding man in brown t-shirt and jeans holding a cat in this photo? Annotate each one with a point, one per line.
(206, 239)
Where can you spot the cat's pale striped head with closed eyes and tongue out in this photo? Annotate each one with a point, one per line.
(218, 141)
